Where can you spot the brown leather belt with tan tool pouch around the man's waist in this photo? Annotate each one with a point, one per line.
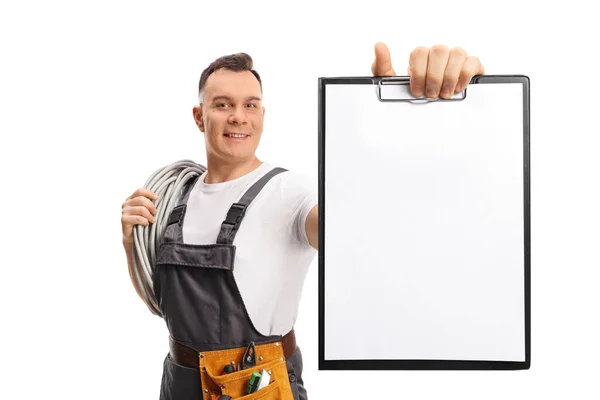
(229, 372)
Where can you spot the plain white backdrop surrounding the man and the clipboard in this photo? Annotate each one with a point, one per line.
(95, 95)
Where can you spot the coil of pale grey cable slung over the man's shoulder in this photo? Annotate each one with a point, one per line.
(167, 183)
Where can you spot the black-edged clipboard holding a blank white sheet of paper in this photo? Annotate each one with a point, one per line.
(424, 226)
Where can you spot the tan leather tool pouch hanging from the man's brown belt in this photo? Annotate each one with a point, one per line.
(270, 357)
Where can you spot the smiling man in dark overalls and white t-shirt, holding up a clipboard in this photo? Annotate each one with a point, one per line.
(210, 306)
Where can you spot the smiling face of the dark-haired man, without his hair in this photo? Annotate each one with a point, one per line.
(231, 115)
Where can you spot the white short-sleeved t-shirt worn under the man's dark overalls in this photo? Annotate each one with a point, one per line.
(272, 250)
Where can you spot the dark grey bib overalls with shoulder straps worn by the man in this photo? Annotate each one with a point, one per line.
(200, 301)
